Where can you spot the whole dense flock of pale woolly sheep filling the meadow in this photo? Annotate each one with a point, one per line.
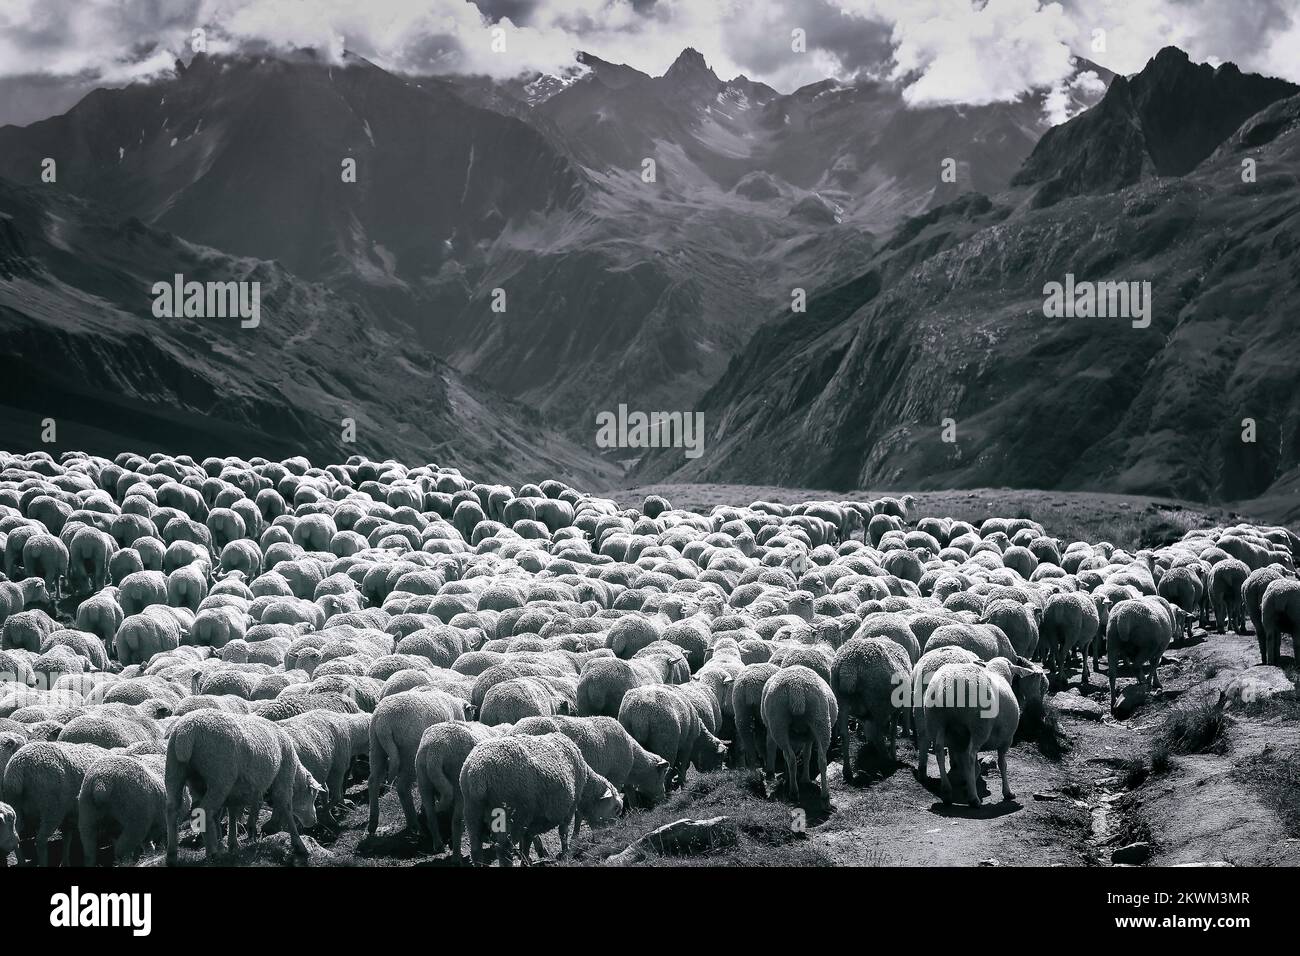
(187, 642)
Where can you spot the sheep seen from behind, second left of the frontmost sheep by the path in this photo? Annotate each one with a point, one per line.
(869, 678)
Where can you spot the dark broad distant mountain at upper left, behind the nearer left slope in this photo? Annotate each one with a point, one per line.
(245, 154)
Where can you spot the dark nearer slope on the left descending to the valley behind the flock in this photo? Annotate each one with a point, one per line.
(84, 348)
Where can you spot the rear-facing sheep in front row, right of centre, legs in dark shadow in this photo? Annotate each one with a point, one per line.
(800, 712)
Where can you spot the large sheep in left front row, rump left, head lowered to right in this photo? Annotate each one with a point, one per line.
(231, 762)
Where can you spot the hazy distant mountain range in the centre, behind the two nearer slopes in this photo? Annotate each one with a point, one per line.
(473, 194)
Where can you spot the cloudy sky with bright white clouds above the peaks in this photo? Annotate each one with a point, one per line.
(939, 51)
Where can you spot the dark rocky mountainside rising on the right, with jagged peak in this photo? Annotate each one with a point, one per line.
(947, 321)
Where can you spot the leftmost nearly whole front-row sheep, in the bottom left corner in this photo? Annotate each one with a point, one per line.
(42, 784)
